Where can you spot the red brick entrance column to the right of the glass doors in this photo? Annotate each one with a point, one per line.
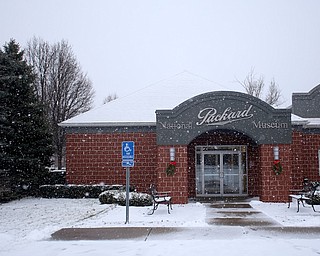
(275, 188)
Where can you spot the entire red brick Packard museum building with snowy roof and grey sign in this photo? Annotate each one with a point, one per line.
(224, 143)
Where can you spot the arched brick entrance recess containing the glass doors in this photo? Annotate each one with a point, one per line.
(219, 161)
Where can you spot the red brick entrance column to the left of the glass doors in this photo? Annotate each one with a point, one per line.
(178, 183)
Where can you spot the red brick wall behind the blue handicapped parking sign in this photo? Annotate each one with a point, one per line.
(96, 158)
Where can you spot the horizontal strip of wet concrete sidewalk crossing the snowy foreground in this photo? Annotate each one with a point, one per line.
(180, 233)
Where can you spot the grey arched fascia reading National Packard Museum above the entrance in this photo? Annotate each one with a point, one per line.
(224, 111)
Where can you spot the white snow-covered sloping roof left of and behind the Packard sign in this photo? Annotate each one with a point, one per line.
(138, 108)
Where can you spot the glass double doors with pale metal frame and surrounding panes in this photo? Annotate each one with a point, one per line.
(221, 171)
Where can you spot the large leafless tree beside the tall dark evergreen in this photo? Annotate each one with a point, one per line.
(61, 85)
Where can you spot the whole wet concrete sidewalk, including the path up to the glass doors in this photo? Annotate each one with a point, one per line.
(224, 221)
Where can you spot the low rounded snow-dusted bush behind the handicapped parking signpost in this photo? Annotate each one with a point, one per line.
(119, 197)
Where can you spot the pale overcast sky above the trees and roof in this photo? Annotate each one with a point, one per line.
(126, 45)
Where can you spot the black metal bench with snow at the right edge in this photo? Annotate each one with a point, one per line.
(310, 195)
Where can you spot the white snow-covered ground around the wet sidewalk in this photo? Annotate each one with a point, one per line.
(26, 227)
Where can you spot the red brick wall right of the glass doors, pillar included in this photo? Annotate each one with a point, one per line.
(299, 160)
